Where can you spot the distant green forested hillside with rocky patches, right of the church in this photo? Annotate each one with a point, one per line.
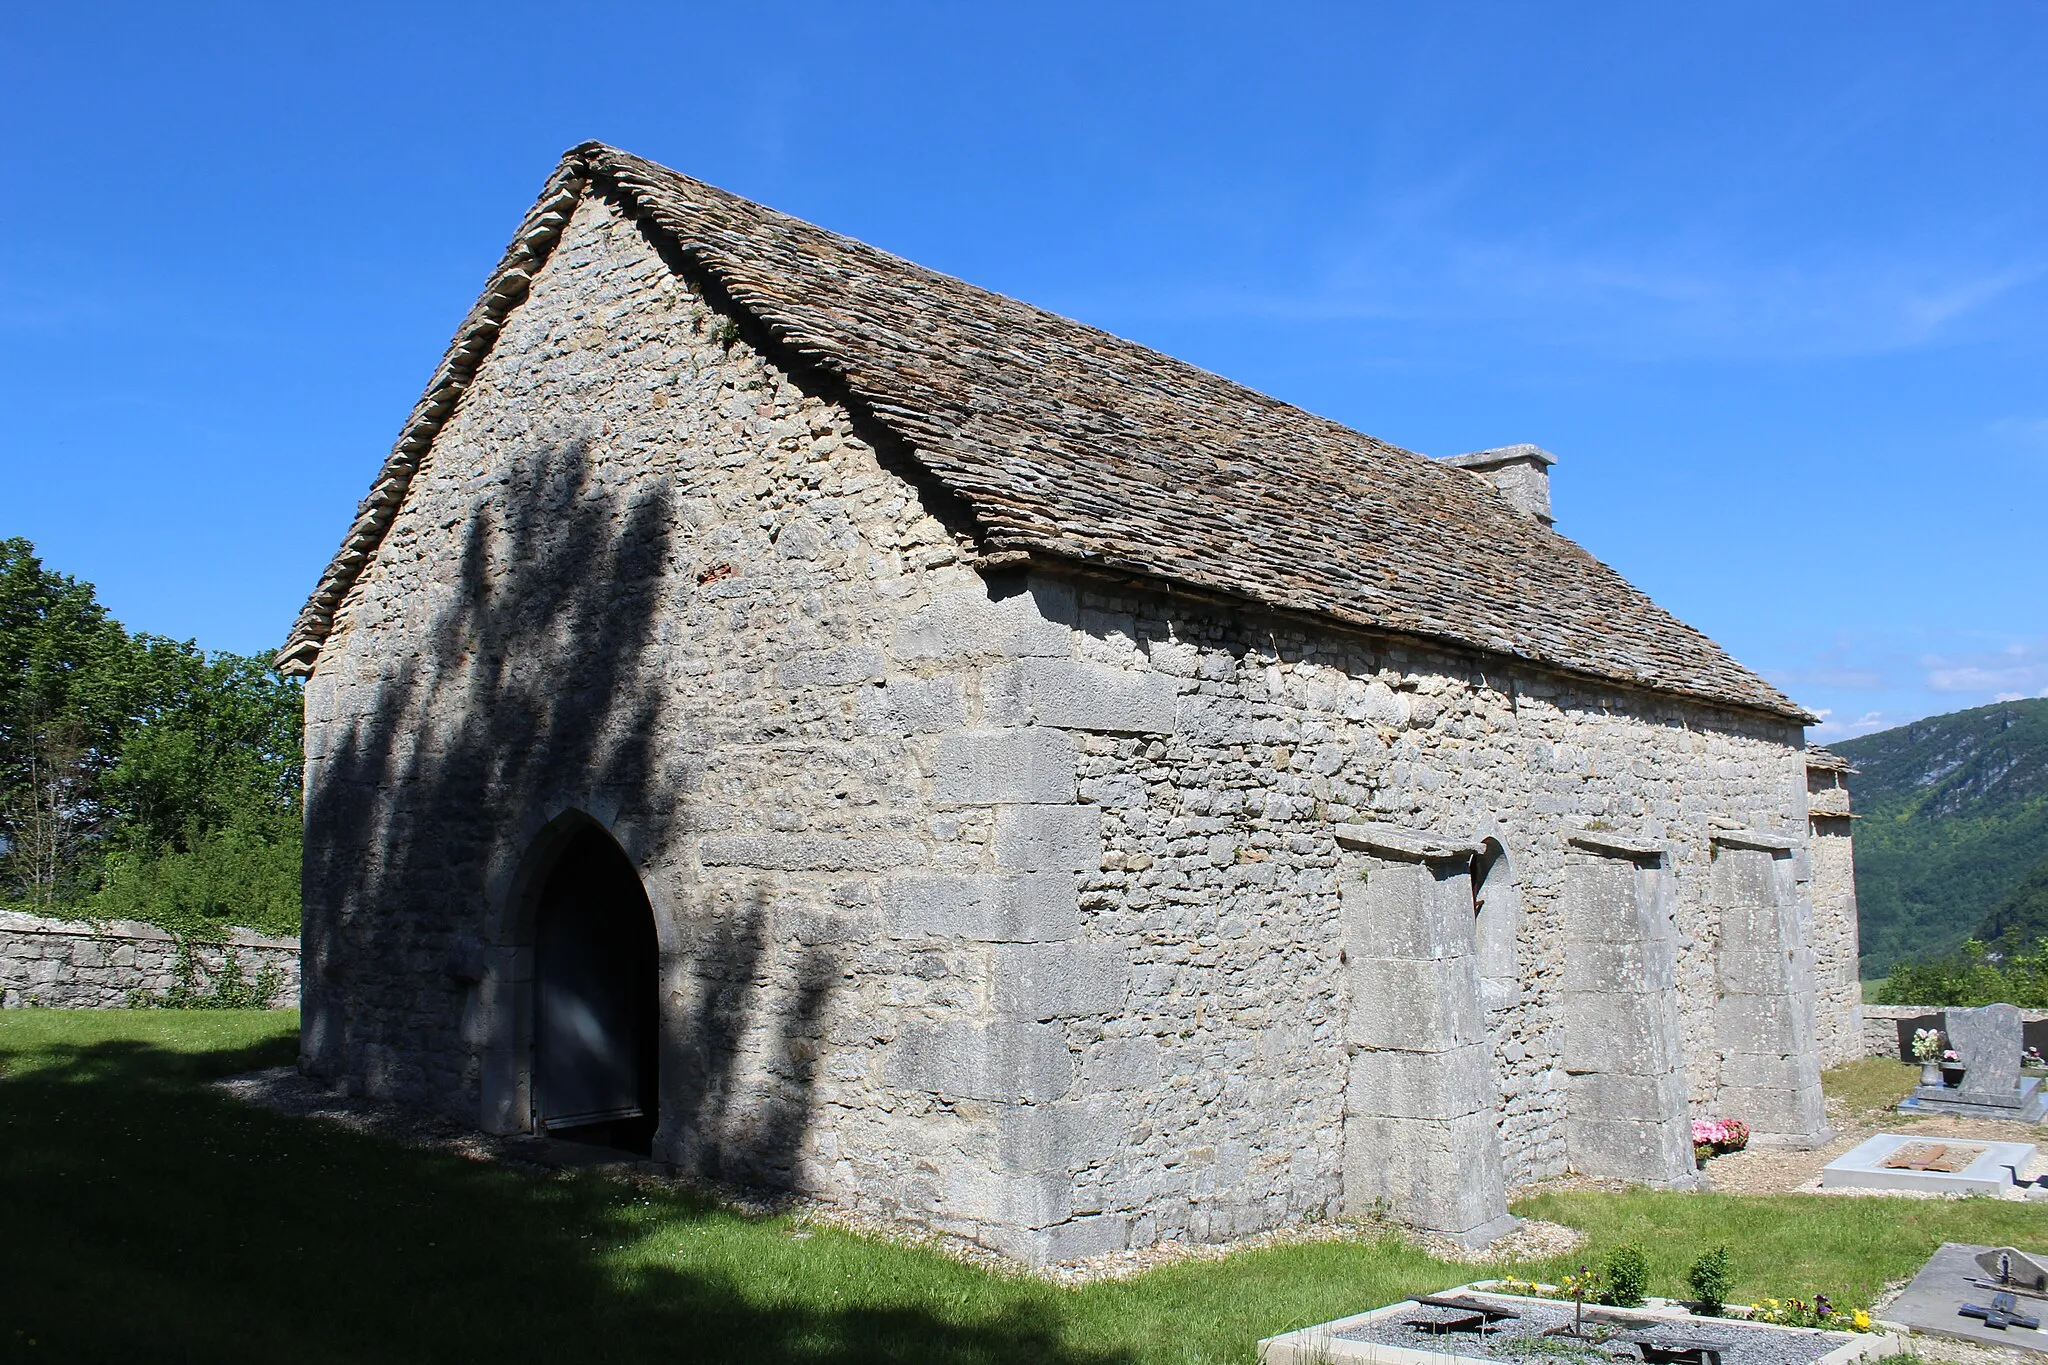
(1955, 832)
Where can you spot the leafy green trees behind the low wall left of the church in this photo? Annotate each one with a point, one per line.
(140, 777)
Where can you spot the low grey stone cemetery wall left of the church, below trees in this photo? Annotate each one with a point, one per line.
(79, 965)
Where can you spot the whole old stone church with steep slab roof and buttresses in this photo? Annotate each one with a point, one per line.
(830, 728)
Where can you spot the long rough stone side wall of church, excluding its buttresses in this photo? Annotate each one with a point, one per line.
(1222, 877)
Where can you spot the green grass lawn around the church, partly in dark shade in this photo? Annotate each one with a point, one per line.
(144, 1217)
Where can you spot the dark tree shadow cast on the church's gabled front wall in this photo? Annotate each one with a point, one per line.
(544, 689)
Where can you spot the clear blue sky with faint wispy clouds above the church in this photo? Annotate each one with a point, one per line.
(1768, 279)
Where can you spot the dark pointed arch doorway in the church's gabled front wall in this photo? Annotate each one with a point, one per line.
(597, 1000)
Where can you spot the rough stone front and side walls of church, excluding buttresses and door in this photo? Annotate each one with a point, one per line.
(1005, 904)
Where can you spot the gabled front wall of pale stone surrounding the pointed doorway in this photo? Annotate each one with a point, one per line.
(648, 578)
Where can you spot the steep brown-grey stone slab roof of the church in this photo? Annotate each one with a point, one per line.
(1072, 445)
